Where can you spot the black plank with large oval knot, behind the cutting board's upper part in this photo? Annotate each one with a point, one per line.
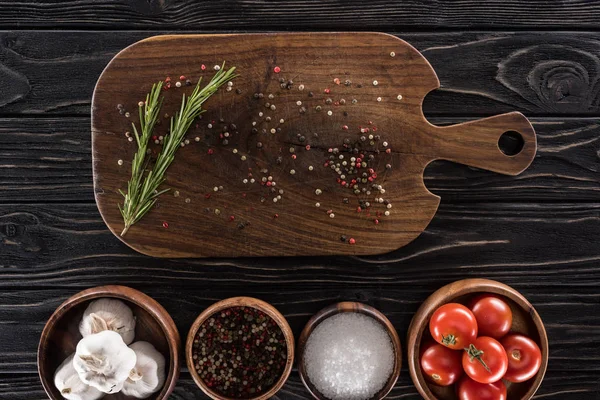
(481, 73)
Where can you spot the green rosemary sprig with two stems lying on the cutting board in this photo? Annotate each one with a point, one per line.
(147, 192)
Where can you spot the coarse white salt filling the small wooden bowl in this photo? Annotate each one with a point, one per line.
(349, 356)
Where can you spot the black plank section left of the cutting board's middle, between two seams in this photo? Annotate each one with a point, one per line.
(46, 159)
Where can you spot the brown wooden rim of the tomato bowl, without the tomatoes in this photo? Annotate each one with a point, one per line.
(445, 295)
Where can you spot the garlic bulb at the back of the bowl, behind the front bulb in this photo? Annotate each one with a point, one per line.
(108, 314)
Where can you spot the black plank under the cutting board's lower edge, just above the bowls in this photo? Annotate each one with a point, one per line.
(69, 245)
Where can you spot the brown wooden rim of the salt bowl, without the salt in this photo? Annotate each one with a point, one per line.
(349, 306)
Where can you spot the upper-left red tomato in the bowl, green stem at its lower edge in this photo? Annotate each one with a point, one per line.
(454, 326)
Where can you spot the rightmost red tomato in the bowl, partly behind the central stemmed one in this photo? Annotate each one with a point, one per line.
(524, 357)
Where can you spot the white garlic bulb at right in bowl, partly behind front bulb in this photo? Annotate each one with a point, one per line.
(148, 376)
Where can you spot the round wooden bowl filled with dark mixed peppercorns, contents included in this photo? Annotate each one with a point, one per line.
(240, 348)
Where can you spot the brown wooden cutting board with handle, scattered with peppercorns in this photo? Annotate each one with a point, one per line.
(302, 104)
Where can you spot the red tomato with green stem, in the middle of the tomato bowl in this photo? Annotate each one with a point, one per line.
(485, 361)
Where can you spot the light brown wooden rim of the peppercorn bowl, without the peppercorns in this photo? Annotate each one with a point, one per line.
(242, 302)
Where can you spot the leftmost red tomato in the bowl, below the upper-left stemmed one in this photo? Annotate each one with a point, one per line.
(441, 365)
